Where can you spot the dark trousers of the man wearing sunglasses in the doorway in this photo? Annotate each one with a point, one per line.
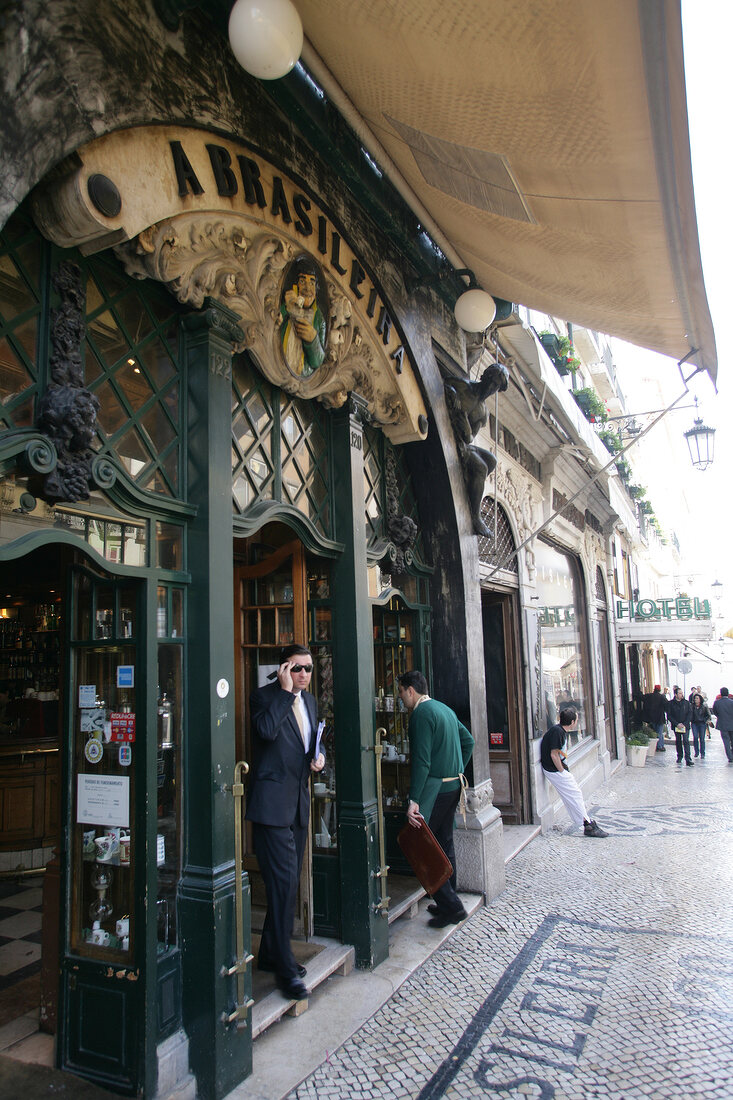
(280, 855)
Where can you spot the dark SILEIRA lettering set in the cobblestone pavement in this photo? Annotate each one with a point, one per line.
(557, 1015)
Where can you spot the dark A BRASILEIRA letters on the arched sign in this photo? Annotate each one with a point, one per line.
(240, 177)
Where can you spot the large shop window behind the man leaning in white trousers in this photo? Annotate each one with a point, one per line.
(562, 632)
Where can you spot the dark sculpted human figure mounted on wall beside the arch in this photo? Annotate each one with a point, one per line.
(467, 405)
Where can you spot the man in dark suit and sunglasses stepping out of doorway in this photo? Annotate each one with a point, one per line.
(285, 720)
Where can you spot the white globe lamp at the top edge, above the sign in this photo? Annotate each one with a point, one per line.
(266, 37)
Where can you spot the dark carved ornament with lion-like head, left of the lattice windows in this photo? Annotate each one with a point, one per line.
(68, 412)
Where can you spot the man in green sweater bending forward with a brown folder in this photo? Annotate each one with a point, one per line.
(440, 750)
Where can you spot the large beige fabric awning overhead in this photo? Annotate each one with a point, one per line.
(549, 142)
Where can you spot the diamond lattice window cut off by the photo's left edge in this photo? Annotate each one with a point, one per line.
(20, 314)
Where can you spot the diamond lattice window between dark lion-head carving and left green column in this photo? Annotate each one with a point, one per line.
(133, 367)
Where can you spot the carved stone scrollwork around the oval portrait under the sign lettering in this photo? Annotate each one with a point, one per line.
(243, 265)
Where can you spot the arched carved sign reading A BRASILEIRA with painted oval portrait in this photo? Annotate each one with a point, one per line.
(209, 218)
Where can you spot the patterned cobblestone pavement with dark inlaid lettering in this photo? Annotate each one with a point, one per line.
(605, 971)
